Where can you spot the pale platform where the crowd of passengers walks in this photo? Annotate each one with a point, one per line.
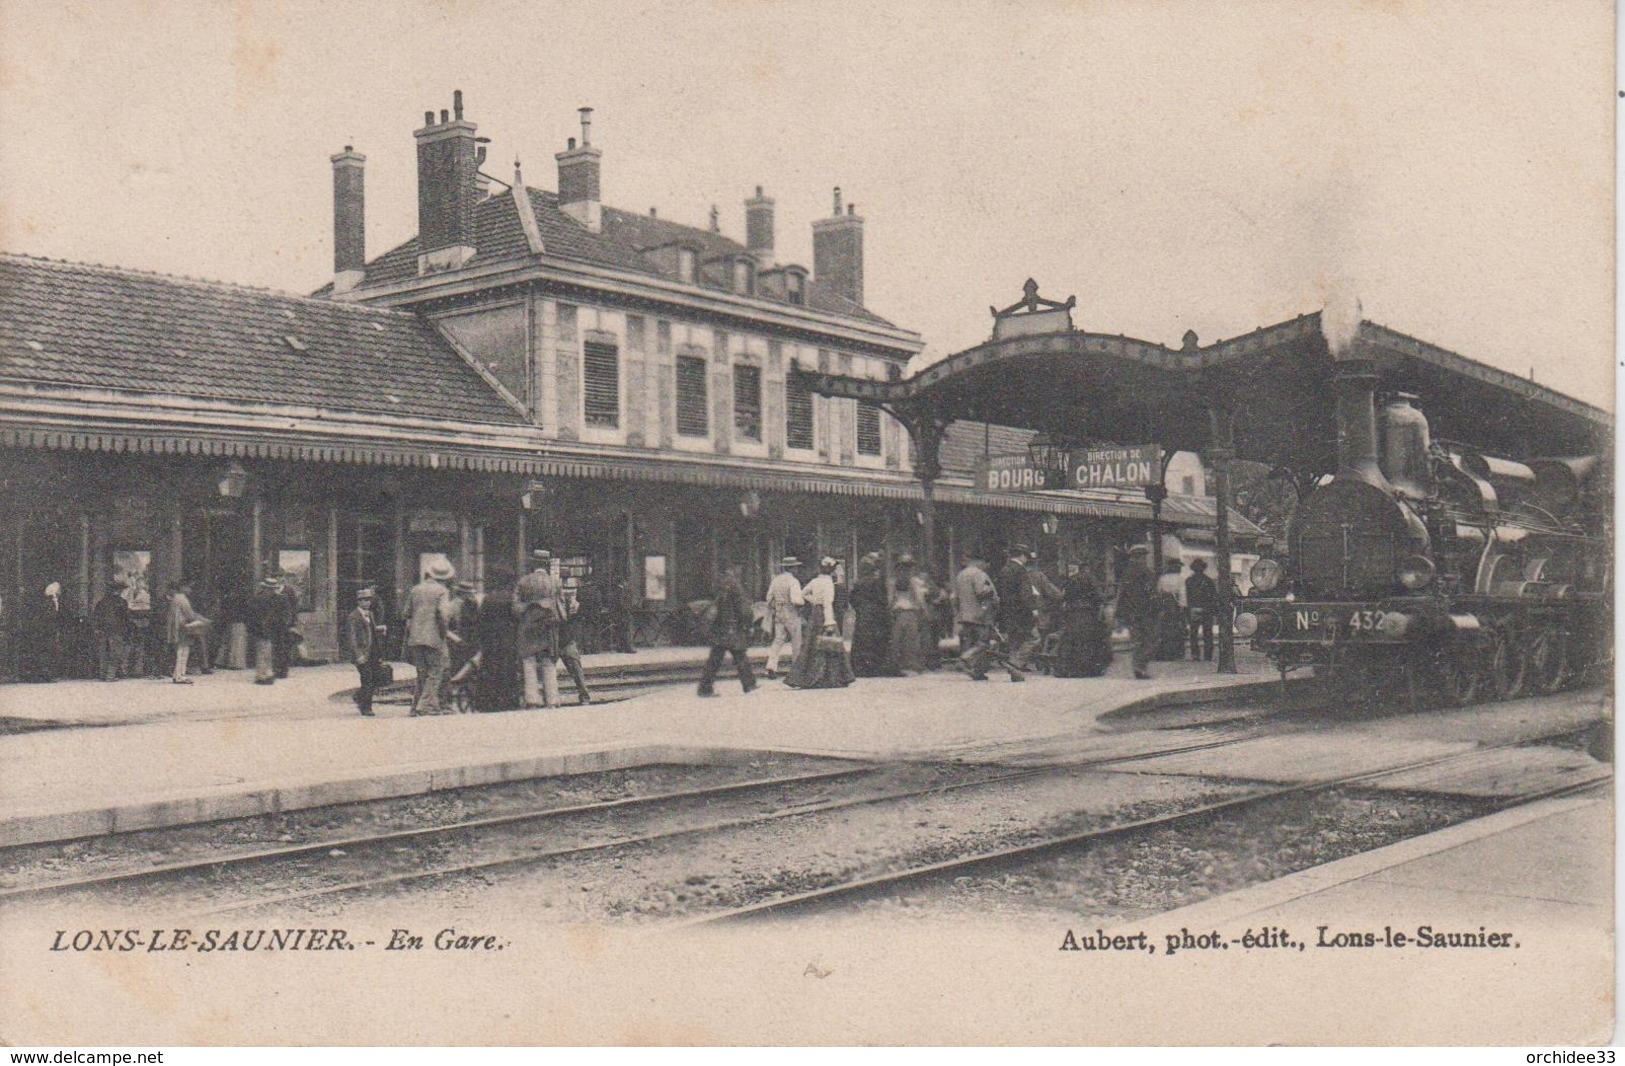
(139, 755)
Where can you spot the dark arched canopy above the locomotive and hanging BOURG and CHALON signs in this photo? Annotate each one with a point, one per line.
(1039, 373)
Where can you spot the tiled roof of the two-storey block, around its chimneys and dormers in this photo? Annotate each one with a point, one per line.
(620, 245)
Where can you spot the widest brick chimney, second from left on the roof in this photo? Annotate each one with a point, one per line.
(448, 189)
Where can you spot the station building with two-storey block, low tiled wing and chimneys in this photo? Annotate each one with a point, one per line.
(532, 370)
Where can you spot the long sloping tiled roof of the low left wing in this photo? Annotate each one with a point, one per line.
(100, 327)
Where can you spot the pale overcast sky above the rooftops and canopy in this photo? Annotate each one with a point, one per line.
(1185, 165)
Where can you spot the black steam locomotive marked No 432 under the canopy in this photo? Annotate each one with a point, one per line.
(1436, 573)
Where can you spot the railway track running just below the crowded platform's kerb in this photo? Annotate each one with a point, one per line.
(349, 846)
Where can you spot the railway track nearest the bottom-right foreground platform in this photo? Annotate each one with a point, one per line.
(878, 885)
